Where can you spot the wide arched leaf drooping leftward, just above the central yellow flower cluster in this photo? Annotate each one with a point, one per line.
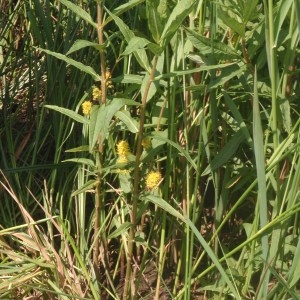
(100, 119)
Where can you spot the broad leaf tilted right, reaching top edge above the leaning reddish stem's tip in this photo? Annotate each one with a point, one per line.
(175, 20)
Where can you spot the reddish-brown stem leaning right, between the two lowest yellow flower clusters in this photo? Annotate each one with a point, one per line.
(139, 149)
